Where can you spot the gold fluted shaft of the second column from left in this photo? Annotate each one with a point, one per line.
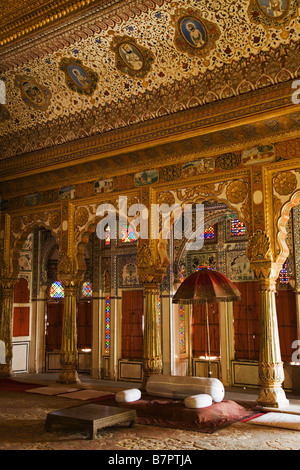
(69, 354)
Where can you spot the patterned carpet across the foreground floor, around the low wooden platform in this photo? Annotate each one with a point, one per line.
(23, 415)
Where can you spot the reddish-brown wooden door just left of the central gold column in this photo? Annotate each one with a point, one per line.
(132, 324)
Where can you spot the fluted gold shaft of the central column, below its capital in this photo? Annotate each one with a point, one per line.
(152, 357)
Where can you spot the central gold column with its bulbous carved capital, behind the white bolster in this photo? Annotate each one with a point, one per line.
(151, 274)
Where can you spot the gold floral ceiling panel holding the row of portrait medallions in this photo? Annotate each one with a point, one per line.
(165, 55)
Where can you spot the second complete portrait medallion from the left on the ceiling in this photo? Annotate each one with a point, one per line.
(79, 77)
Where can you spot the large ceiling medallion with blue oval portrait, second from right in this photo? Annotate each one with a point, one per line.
(193, 34)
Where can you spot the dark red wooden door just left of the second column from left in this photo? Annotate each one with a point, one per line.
(55, 311)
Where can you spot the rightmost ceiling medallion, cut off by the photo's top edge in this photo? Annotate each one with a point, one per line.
(273, 12)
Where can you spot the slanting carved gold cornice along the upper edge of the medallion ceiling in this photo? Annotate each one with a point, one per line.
(61, 24)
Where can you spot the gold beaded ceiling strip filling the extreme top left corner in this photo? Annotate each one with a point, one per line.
(22, 17)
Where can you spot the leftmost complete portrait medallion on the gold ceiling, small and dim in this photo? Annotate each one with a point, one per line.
(33, 94)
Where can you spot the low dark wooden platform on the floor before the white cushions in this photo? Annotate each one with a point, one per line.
(90, 417)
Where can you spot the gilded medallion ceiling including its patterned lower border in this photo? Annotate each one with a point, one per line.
(134, 62)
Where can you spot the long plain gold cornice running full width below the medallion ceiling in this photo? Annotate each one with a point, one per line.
(226, 115)
